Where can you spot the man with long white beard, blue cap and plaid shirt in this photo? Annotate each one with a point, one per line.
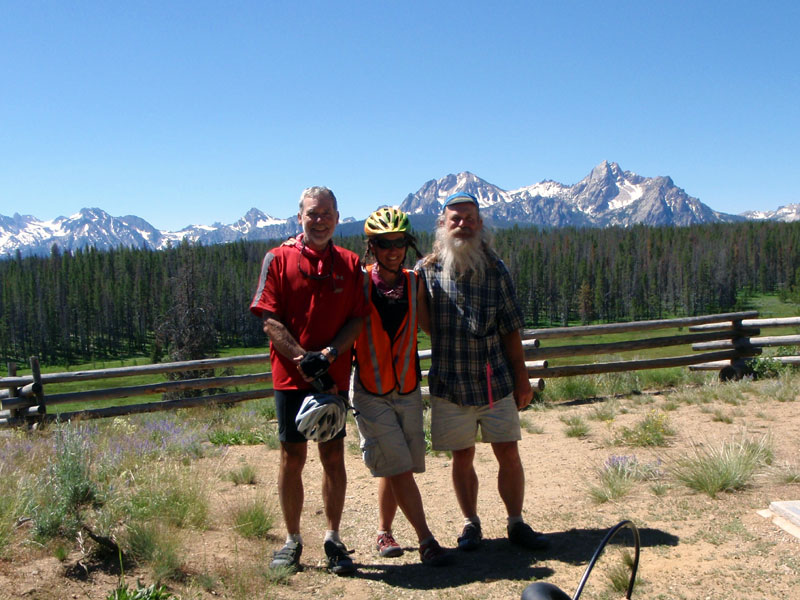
(477, 376)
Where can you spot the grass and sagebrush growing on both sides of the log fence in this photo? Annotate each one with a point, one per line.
(128, 493)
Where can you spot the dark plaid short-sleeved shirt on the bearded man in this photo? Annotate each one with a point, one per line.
(468, 317)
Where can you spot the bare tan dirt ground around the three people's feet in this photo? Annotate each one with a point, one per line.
(692, 546)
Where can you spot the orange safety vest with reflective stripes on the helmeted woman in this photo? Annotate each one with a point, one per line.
(383, 364)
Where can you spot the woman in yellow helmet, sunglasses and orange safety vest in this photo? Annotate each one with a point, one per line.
(385, 391)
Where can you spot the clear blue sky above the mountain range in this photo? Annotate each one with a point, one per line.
(194, 112)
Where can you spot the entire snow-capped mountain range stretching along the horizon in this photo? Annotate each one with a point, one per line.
(606, 196)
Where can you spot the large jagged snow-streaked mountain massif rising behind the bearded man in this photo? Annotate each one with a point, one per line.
(607, 196)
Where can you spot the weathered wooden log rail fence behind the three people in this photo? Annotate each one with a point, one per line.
(721, 342)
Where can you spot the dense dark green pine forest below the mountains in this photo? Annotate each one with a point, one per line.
(76, 307)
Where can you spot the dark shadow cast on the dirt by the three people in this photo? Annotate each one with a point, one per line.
(498, 559)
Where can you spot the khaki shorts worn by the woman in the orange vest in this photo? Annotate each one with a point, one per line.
(392, 439)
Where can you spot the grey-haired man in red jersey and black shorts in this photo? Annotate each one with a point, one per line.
(312, 303)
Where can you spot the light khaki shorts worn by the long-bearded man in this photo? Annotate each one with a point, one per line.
(455, 427)
